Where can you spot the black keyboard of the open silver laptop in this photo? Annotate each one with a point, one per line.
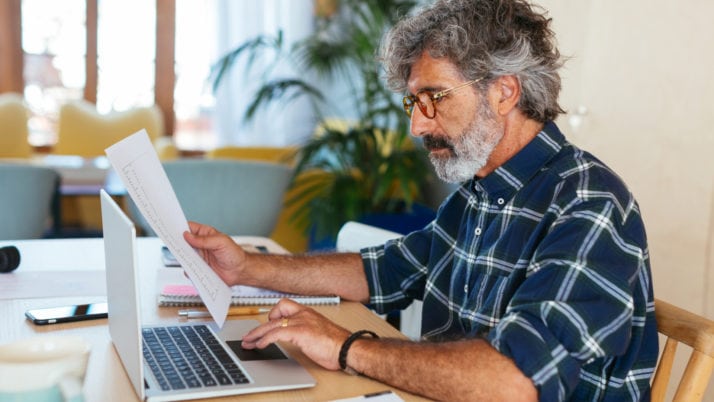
(189, 357)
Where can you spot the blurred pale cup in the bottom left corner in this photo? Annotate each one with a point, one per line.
(43, 369)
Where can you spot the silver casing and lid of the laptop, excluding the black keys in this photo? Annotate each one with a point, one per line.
(268, 370)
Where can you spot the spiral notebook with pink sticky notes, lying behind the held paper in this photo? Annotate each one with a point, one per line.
(186, 295)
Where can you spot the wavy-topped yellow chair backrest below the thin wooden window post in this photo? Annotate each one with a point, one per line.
(83, 131)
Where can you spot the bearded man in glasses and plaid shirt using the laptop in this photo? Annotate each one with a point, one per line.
(535, 273)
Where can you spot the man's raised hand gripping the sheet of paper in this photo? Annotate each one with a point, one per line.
(218, 250)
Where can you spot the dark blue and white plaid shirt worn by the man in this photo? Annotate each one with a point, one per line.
(547, 259)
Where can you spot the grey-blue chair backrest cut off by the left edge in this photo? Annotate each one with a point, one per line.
(27, 194)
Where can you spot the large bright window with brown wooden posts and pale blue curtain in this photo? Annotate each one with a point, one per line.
(108, 52)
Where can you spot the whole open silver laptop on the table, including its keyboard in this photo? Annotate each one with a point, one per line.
(153, 355)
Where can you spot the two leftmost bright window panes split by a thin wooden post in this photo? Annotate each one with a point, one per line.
(54, 43)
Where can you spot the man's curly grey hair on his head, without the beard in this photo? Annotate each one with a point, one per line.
(483, 38)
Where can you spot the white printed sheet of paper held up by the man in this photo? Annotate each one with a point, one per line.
(135, 161)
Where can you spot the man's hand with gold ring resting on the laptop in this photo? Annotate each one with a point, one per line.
(316, 336)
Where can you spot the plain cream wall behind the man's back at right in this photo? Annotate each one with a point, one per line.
(643, 70)
